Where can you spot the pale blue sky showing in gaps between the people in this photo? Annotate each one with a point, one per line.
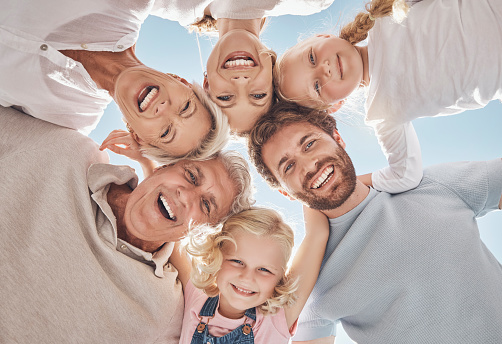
(472, 135)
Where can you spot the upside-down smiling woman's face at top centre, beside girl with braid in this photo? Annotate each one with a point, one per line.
(239, 78)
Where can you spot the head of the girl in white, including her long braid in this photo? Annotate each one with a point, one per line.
(323, 70)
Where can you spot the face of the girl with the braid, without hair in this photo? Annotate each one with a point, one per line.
(323, 70)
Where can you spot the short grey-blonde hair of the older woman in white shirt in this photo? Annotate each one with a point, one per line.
(214, 141)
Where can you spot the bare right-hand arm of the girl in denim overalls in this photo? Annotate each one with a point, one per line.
(307, 260)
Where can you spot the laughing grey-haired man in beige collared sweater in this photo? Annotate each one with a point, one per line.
(84, 250)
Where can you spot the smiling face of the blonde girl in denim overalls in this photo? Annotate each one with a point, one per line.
(249, 273)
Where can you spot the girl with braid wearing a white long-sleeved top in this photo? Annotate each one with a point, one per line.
(442, 57)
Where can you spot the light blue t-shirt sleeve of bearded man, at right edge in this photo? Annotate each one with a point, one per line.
(477, 183)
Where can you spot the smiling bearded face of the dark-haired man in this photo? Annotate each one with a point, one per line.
(311, 165)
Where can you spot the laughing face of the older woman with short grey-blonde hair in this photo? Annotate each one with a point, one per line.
(162, 110)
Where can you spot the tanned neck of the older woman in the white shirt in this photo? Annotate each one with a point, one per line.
(104, 66)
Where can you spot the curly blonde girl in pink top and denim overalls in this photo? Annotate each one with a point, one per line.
(240, 290)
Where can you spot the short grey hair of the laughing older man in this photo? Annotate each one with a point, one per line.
(238, 171)
